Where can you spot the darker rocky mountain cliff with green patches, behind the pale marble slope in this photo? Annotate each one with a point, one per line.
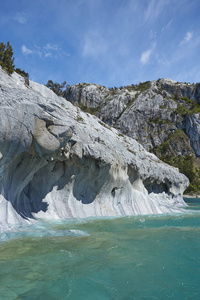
(162, 115)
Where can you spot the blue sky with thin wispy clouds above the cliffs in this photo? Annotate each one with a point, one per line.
(109, 42)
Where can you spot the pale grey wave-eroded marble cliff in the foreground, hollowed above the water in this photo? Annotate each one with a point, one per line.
(58, 162)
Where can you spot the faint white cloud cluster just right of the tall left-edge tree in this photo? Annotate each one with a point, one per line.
(47, 51)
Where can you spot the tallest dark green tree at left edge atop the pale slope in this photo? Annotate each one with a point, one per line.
(6, 58)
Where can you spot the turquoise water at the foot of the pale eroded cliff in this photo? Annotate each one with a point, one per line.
(151, 257)
